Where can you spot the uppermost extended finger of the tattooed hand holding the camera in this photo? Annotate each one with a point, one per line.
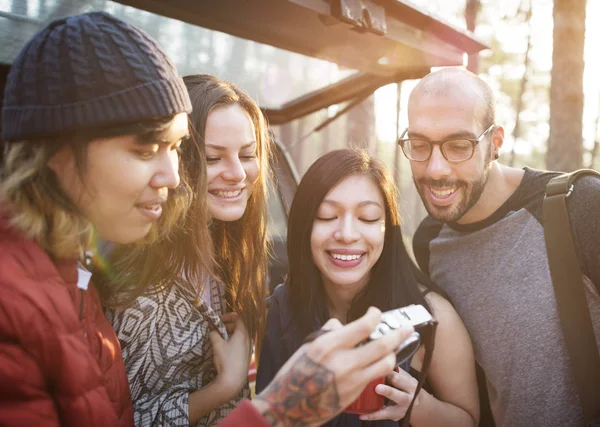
(347, 337)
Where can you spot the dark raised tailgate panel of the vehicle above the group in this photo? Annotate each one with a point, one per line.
(346, 32)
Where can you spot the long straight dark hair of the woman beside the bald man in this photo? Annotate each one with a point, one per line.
(395, 279)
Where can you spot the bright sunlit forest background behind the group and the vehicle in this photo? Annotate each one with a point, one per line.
(543, 64)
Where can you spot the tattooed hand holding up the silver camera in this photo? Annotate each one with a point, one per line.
(332, 370)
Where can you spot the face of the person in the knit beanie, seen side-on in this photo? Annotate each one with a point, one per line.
(126, 182)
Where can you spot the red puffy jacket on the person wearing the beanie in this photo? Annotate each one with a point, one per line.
(55, 368)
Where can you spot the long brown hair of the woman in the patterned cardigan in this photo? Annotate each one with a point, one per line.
(240, 247)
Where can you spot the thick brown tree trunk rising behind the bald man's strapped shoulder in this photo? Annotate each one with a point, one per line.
(565, 143)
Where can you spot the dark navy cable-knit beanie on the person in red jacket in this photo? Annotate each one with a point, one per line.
(87, 71)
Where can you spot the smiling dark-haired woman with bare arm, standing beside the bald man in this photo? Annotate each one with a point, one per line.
(346, 253)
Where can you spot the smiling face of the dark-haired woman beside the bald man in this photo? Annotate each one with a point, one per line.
(348, 234)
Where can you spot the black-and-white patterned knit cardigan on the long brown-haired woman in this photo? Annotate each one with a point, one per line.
(168, 355)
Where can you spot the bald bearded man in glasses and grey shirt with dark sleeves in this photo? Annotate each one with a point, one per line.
(483, 243)
